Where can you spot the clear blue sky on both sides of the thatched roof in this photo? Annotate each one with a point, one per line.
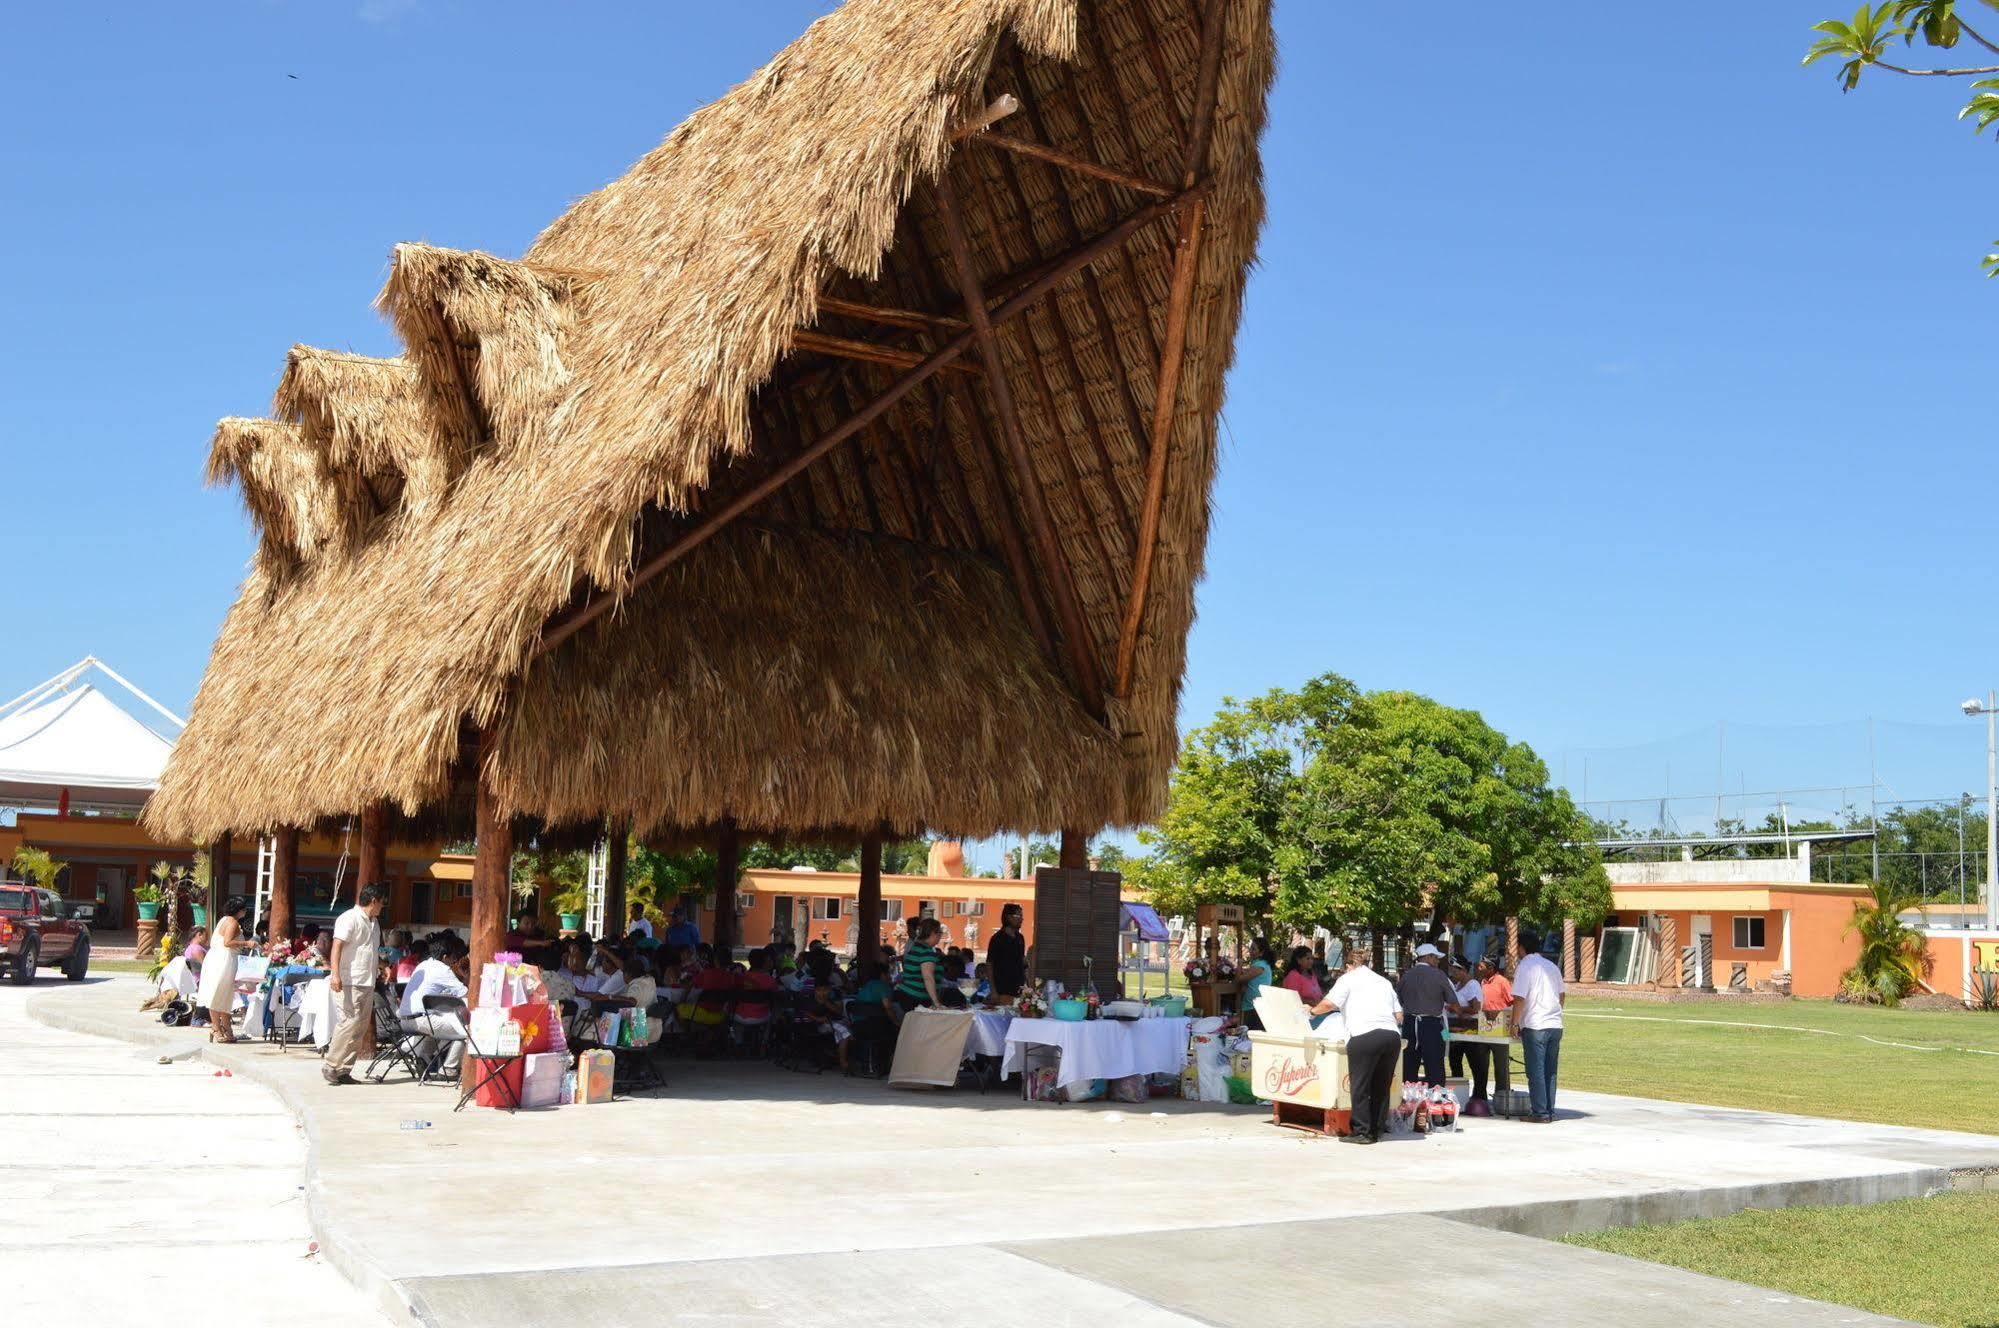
(1604, 385)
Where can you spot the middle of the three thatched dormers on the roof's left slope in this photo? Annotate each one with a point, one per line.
(371, 421)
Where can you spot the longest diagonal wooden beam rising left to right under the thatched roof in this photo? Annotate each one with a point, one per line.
(1048, 277)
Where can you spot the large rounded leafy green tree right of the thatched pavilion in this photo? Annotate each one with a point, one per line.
(1334, 807)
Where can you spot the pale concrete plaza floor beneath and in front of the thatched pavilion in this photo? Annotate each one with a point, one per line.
(747, 1193)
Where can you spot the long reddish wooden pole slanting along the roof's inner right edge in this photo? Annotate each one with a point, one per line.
(1172, 357)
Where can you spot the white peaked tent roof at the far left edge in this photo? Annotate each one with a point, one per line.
(69, 735)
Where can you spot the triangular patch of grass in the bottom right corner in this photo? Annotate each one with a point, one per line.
(1922, 1259)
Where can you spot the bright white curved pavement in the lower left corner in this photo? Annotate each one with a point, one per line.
(133, 1191)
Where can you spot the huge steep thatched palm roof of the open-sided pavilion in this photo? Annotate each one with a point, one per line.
(645, 365)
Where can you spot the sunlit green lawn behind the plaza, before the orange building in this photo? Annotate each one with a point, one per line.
(1896, 1067)
